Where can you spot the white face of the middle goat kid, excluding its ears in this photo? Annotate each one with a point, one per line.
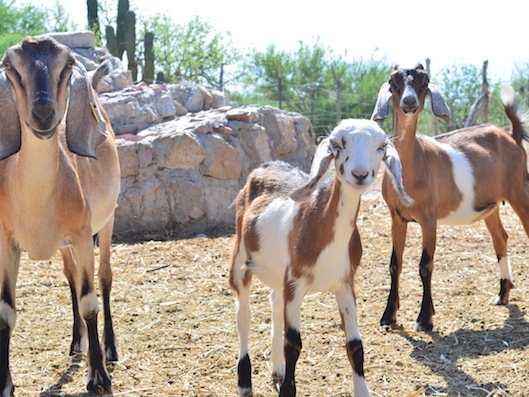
(358, 150)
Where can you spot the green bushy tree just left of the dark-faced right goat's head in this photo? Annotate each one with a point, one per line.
(313, 81)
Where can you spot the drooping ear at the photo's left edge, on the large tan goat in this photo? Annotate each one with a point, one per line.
(10, 134)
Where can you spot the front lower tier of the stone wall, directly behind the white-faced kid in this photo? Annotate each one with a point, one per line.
(183, 175)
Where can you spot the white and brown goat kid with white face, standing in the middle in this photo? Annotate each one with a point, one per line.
(298, 235)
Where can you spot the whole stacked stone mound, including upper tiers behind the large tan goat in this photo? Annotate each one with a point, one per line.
(184, 153)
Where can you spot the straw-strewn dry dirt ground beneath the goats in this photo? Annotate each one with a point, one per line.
(175, 321)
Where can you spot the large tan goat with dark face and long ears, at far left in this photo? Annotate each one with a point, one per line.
(59, 184)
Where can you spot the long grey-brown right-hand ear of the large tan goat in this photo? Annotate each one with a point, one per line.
(85, 126)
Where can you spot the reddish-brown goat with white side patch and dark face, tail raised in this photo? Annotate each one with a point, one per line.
(457, 178)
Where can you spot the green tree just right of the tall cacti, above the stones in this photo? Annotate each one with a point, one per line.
(193, 51)
